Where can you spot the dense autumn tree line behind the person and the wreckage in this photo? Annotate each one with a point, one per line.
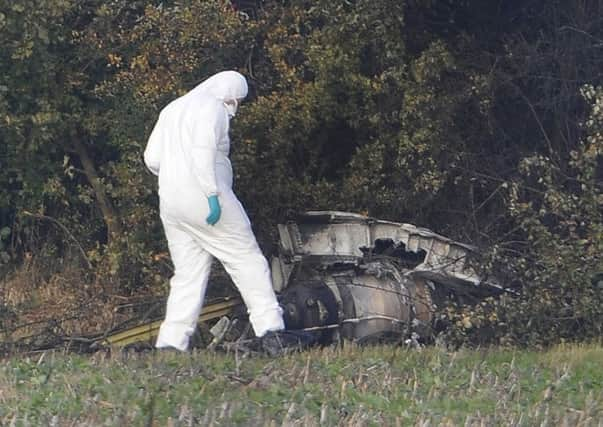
(480, 120)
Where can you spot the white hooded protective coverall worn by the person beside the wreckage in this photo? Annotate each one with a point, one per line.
(188, 150)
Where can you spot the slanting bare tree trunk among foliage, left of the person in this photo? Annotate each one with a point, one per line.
(109, 214)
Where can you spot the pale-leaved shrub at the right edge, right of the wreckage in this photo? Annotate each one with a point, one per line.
(556, 256)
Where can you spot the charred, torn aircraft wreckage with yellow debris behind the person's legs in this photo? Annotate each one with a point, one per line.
(344, 276)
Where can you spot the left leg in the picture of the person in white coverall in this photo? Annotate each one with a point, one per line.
(187, 288)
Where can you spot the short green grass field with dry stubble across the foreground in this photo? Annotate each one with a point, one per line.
(347, 386)
